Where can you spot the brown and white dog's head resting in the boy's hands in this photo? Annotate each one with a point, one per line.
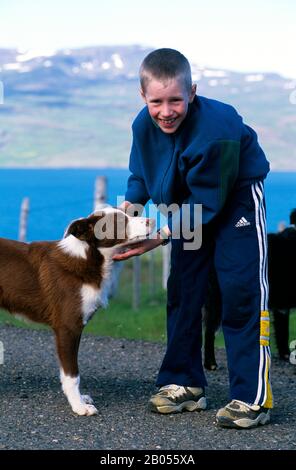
(110, 227)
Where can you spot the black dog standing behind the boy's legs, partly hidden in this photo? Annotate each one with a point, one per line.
(282, 295)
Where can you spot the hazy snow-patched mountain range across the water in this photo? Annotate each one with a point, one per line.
(74, 107)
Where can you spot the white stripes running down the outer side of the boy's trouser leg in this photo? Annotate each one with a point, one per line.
(264, 363)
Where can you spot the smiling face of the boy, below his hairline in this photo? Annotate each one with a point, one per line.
(167, 102)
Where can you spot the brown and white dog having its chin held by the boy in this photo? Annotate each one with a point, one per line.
(62, 283)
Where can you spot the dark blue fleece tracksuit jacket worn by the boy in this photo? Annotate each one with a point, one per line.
(210, 153)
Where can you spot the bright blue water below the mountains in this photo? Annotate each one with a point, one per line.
(59, 196)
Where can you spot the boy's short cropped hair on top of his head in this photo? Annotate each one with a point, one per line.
(164, 64)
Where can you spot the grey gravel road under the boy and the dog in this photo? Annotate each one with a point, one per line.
(120, 375)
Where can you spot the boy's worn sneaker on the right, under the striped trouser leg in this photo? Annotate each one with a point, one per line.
(238, 414)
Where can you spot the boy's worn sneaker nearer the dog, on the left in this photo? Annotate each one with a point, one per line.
(176, 398)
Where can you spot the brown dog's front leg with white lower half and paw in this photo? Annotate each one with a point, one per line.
(67, 346)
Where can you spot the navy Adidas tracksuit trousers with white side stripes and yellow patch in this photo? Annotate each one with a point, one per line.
(237, 244)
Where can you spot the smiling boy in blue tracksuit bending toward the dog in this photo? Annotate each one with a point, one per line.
(193, 150)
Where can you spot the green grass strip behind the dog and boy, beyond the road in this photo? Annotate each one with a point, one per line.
(119, 320)
